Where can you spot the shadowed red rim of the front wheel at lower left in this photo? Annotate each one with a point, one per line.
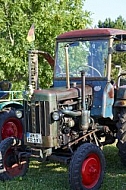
(12, 166)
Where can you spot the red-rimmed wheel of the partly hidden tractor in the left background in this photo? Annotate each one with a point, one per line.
(10, 125)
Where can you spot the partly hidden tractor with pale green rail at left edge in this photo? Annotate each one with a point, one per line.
(10, 103)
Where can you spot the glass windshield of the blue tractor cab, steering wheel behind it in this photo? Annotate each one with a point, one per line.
(90, 56)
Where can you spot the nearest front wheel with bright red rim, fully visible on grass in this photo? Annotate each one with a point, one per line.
(87, 168)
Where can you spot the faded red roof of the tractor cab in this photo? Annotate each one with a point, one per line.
(96, 32)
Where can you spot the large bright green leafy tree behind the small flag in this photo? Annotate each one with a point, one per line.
(51, 17)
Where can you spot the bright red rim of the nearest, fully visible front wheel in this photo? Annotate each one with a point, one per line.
(91, 169)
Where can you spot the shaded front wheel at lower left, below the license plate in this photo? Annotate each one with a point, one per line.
(10, 165)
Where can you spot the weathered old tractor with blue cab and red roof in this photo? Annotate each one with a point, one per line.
(81, 113)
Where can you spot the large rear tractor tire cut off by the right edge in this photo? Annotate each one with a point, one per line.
(121, 135)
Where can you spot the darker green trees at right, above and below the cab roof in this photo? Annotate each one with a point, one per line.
(117, 59)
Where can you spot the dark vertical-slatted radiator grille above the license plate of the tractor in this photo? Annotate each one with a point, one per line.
(36, 116)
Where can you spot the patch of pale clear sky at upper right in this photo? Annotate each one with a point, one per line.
(102, 9)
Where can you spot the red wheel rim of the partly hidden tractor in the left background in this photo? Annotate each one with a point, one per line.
(12, 128)
